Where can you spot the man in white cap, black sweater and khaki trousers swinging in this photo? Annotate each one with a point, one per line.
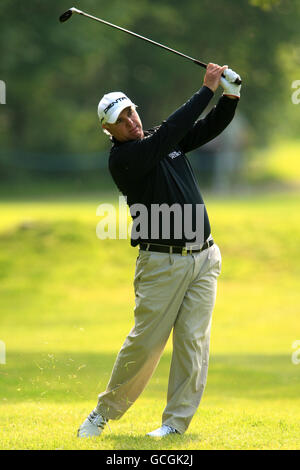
(176, 275)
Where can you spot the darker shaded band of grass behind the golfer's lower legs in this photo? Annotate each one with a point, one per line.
(70, 377)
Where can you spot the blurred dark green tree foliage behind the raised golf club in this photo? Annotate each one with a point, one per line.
(56, 73)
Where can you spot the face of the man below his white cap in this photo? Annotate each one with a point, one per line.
(127, 127)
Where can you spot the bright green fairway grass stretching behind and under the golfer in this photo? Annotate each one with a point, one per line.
(66, 306)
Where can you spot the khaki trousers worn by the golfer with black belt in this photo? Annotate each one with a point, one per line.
(171, 292)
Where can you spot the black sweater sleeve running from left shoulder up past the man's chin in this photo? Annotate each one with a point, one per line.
(136, 158)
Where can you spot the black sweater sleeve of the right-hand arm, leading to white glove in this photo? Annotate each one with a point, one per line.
(211, 126)
